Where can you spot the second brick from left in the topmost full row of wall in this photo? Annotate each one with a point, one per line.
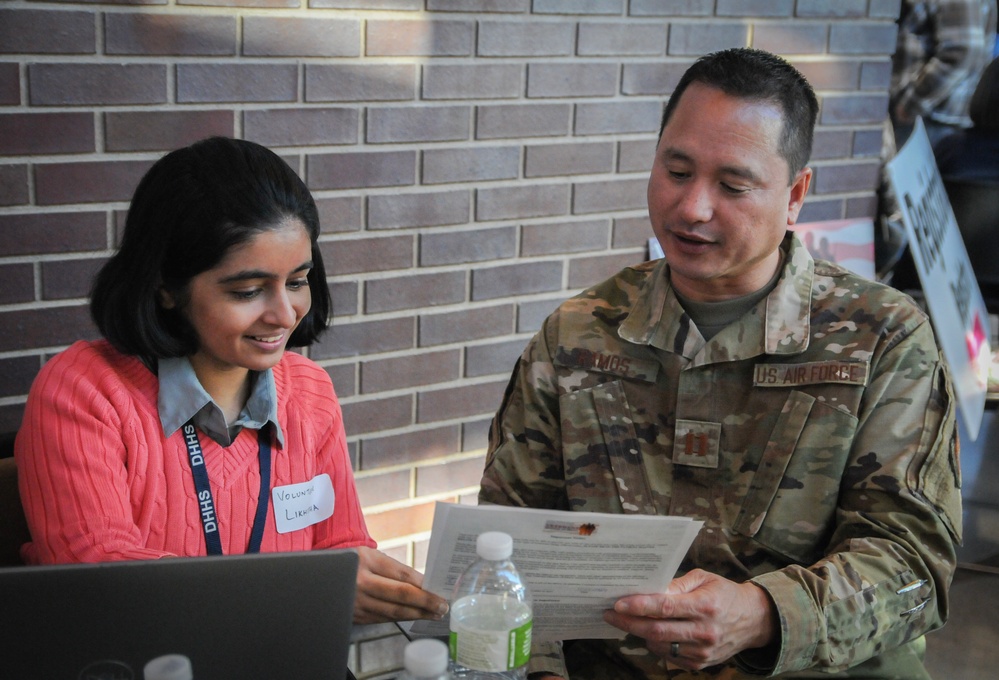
(169, 34)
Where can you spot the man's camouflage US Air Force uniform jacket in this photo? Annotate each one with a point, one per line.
(815, 437)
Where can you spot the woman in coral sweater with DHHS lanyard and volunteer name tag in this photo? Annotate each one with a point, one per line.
(189, 430)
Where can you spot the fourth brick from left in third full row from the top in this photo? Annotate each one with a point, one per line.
(421, 124)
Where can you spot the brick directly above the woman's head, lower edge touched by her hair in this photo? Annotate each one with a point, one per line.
(164, 130)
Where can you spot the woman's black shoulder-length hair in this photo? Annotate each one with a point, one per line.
(191, 208)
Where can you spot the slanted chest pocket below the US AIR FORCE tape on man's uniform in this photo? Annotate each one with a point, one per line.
(791, 502)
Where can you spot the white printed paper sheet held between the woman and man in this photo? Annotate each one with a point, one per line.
(575, 564)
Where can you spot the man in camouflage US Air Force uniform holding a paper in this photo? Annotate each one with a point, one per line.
(803, 413)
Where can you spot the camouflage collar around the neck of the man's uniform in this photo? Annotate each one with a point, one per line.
(779, 324)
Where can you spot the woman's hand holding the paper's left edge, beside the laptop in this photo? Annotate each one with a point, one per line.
(388, 590)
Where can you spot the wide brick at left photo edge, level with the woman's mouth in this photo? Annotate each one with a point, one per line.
(48, 327)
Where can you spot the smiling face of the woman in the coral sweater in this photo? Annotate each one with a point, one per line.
(246, 307)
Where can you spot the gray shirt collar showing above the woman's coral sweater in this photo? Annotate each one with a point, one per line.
(182, 398)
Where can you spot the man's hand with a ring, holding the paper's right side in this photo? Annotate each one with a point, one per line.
(703, 617)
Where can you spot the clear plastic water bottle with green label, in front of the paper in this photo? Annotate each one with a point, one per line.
(490, 615)
